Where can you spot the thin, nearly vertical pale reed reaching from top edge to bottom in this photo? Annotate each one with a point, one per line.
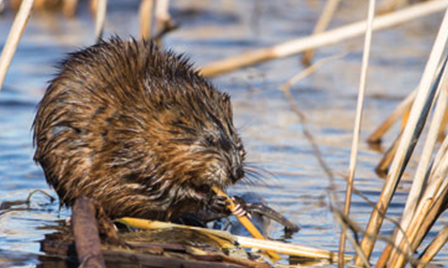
(357, 126)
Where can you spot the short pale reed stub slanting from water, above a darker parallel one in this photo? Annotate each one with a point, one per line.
(405, 105)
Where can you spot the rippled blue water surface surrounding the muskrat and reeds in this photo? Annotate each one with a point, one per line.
(295, 185)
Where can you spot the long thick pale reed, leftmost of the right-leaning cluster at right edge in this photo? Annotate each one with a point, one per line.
(408, 140)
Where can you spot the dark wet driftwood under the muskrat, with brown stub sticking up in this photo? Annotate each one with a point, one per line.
(81, 246)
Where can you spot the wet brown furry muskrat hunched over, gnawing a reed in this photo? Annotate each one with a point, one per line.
(138, 130)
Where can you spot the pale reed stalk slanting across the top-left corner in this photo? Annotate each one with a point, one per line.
(13, 39)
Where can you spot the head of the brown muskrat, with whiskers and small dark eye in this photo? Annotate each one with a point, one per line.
(199, 142)
